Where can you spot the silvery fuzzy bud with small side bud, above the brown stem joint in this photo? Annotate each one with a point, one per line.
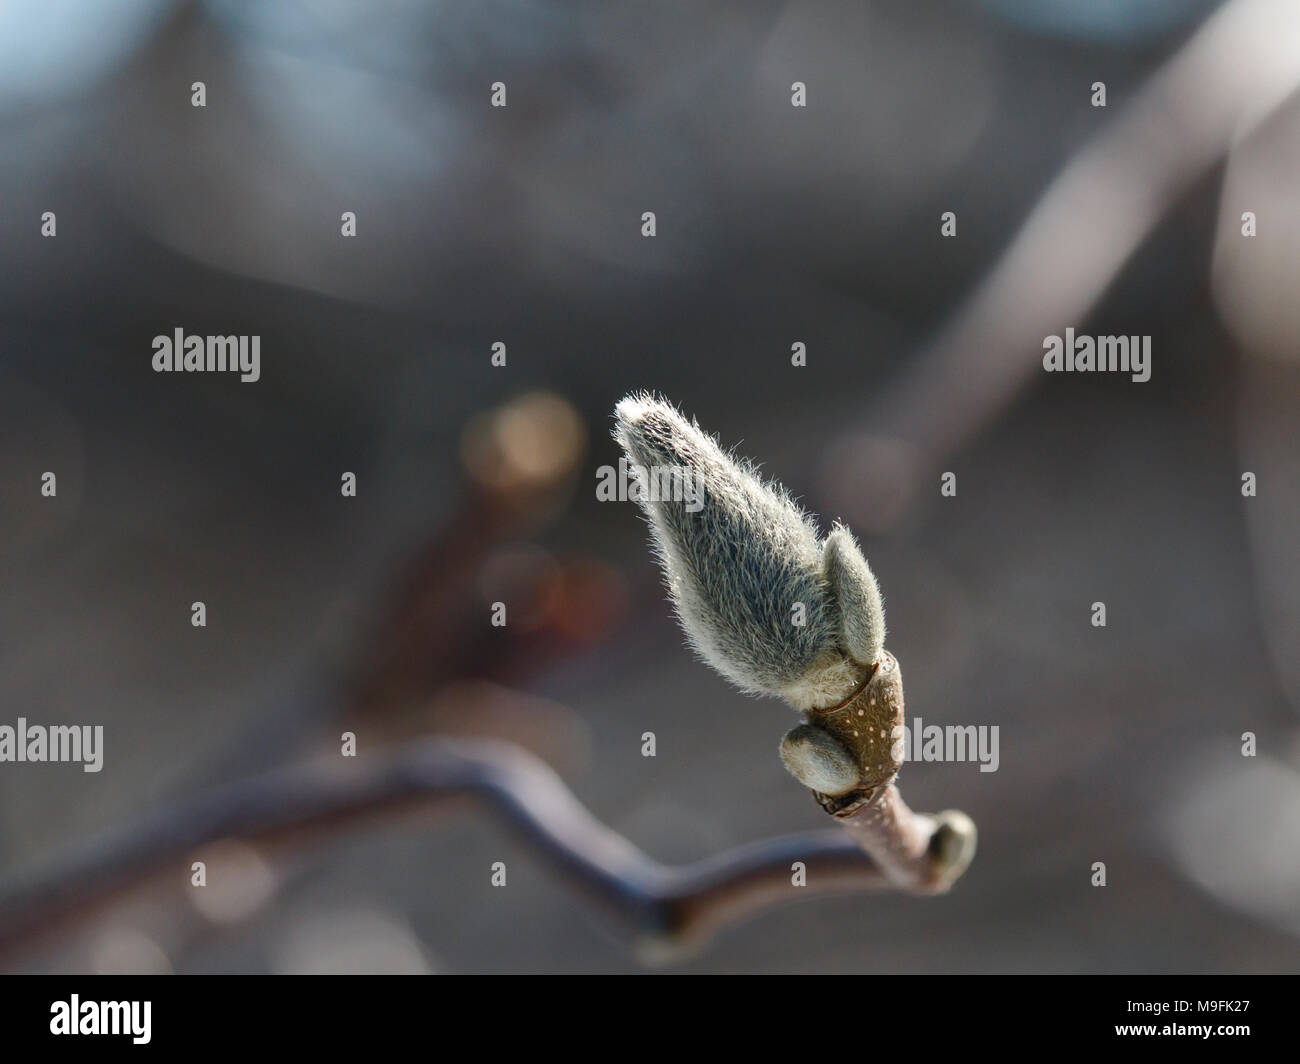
(740, 566)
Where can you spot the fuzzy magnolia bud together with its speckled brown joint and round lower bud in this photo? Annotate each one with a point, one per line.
(765, 600)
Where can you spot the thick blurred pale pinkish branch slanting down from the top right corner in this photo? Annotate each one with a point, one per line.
(1230, 76)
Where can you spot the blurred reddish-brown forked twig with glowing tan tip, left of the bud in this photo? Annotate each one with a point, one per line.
(430, 661)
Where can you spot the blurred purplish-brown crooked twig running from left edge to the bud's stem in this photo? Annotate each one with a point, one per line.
(668, 909)
